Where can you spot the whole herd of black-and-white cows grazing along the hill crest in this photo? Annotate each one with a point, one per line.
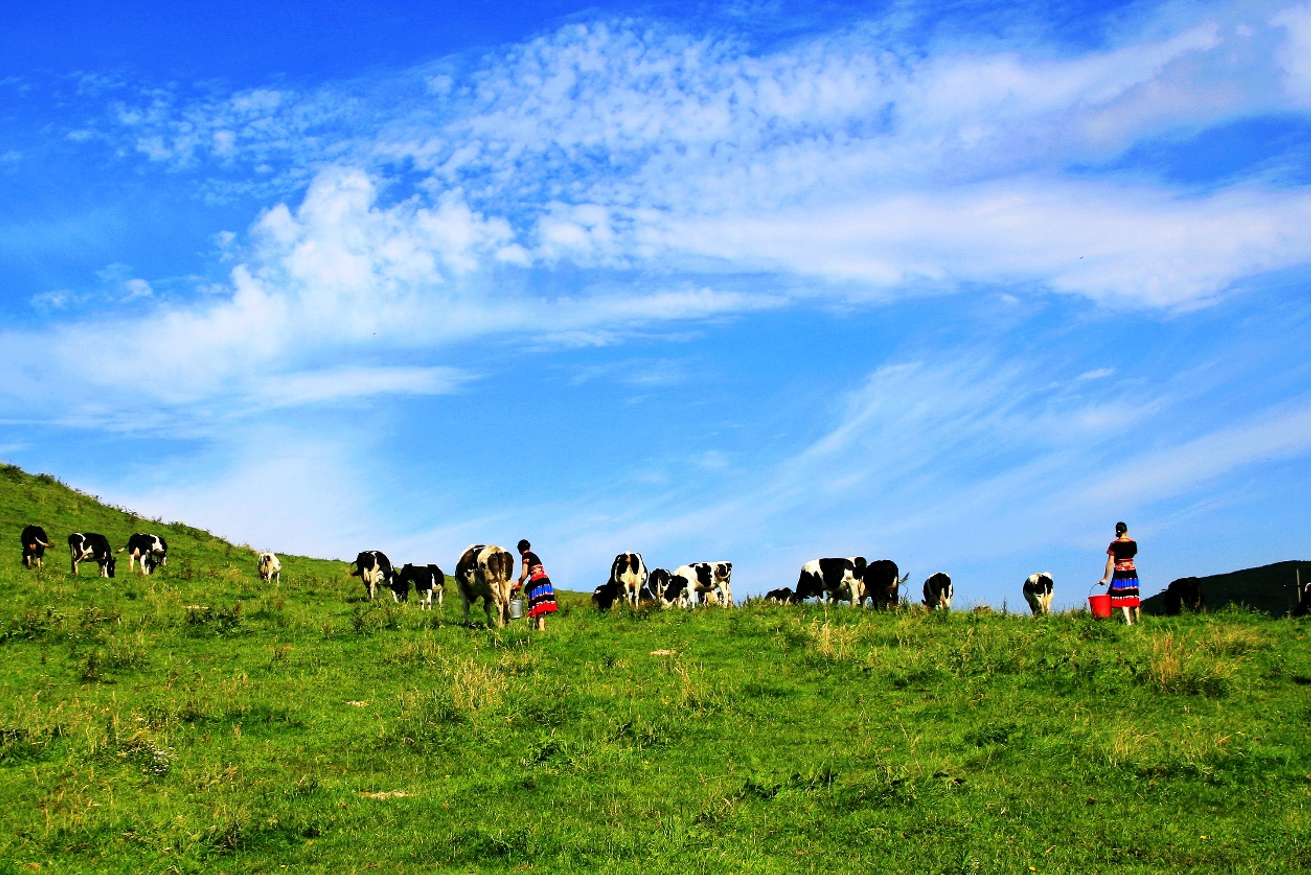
(487, 573)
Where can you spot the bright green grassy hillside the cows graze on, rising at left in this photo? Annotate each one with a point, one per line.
(201, 721)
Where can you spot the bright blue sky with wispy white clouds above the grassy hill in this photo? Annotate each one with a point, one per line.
(754, 281)
